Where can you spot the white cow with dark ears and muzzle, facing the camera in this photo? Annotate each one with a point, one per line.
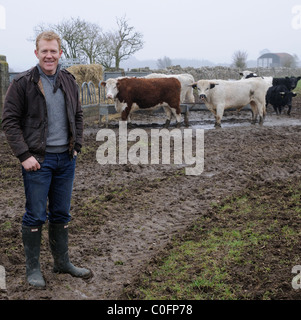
(221, 95)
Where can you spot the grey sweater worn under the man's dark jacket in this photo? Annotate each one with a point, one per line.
(57, 135)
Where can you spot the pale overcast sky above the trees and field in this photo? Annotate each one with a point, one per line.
(199, 29)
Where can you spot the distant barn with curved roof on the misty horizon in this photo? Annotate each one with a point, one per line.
(275, 60)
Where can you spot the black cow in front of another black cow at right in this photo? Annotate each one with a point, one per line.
(280, 96)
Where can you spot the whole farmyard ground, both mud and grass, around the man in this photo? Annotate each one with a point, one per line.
(151, 232)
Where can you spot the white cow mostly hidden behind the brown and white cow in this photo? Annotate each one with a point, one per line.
(186, 81)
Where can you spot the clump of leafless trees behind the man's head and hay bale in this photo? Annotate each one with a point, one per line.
(87, 42)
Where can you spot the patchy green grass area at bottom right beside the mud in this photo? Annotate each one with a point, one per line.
(241, 244)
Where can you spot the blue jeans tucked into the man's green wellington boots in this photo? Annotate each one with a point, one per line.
(54, 181)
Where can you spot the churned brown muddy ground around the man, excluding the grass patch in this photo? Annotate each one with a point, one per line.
(125, 215)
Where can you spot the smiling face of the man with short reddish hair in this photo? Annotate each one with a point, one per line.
(48, 54)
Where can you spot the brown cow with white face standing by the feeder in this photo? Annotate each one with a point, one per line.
(131, 94)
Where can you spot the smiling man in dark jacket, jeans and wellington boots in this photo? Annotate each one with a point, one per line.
(43, 123)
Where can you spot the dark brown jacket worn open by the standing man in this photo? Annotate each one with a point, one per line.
(24, 118)
